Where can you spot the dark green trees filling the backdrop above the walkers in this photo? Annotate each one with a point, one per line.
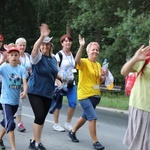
(120, 27)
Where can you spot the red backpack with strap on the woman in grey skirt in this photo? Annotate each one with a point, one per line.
(131, 78)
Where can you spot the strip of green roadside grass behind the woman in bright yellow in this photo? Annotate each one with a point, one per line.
(116, 101)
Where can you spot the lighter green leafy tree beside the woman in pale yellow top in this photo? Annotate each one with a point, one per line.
(127, 37)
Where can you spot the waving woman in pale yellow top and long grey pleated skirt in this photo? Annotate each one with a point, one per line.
(137, 135)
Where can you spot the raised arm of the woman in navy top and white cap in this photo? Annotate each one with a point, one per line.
(44, 31)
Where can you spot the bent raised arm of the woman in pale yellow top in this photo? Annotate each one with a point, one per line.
(140, 55)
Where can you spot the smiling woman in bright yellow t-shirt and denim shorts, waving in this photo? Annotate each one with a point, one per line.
(88, 91)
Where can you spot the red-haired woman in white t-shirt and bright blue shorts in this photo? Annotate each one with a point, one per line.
(66, 63)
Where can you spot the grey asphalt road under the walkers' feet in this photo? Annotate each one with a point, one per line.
(111, 127)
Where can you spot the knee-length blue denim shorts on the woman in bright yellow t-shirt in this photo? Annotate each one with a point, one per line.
(88, 105)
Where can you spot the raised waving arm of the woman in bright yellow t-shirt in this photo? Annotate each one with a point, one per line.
(79, 53)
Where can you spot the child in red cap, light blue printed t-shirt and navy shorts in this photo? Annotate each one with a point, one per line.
(13, 75)
